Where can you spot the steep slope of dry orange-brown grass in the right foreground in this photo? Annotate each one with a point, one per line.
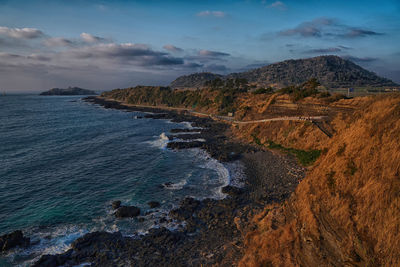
(346, 212)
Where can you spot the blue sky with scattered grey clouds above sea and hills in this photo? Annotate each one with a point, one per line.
(102, 45)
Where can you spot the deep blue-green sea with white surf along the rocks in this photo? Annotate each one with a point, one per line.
(63, 161)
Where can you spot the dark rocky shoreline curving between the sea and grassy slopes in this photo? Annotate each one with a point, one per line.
(213, 229)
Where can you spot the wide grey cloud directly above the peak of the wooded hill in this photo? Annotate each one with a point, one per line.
(327, 27)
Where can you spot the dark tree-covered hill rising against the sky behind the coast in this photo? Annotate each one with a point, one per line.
(330, 71)
